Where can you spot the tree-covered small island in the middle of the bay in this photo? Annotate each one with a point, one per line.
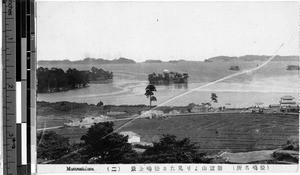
(168, 78)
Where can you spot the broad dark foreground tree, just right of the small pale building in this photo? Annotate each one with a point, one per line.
(171, 150)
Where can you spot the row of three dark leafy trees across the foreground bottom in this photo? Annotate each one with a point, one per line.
(101, 145)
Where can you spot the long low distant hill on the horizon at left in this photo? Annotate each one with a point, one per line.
(121, 60)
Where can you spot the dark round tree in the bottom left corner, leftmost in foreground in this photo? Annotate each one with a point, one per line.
(51, 145)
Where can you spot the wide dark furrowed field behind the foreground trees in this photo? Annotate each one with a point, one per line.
(214, 132)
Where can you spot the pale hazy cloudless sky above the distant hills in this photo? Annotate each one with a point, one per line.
(165, 30)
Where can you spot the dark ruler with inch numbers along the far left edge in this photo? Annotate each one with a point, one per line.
(9, 87)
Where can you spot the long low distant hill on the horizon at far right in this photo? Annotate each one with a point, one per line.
(252, 58)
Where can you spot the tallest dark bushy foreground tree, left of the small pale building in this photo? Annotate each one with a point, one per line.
(103, 146)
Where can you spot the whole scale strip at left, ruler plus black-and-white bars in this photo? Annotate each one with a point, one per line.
(18, 58)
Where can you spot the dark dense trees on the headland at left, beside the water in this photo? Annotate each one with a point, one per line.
(56, 79)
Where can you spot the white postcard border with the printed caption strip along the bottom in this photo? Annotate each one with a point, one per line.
(126, 169)
